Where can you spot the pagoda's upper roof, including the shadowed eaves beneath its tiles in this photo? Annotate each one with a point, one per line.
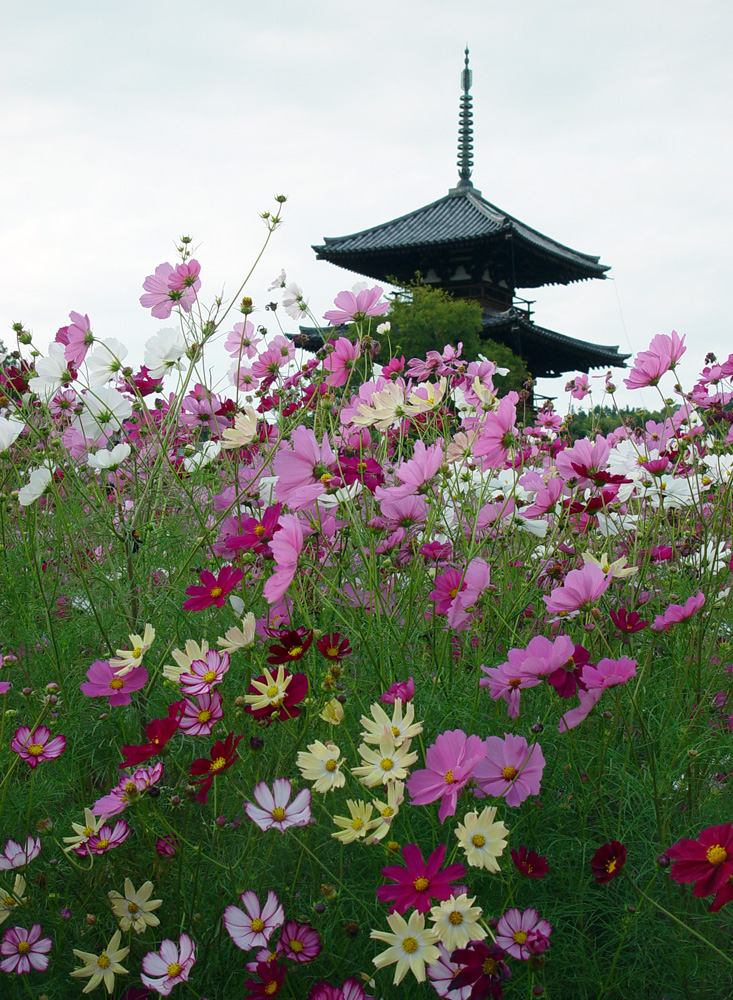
(462, 222)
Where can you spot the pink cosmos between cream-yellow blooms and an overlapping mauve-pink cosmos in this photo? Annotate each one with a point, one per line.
(450, 762)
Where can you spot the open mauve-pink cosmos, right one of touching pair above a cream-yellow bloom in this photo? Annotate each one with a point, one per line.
(510, 768)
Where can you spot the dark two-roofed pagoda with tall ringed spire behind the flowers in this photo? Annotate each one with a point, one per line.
(466, 245)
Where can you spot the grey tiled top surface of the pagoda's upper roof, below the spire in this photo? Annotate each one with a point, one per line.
(463, 219)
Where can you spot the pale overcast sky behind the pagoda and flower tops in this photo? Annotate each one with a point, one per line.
(605, 126)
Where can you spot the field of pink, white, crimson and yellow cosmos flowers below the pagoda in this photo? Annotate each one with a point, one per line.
(339, 681)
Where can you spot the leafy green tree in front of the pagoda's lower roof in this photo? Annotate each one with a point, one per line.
(426, 319)
